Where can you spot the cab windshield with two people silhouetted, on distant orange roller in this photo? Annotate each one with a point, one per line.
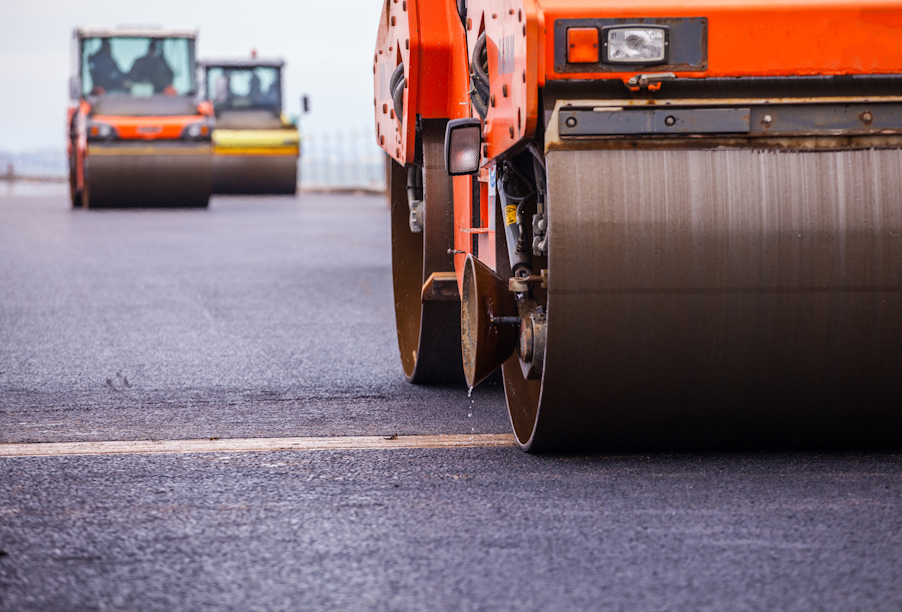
(138, 67)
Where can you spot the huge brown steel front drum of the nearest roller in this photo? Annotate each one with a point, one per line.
(719, 299)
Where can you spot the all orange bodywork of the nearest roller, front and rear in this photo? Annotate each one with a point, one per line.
(741, 38)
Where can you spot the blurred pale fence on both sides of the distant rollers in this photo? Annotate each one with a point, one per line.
(329, 160)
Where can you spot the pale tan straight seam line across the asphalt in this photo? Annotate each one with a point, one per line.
(240, 445)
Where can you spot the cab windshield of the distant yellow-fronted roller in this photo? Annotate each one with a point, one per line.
(244, 88)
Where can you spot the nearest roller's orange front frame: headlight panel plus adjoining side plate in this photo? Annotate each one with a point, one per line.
(743, 38)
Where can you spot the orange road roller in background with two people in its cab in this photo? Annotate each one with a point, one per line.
(137, 135)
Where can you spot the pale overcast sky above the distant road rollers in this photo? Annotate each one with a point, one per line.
(327, 45)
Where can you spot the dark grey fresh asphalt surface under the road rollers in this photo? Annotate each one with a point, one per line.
(273, 318)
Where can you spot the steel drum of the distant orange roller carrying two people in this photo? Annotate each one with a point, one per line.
(148, 179)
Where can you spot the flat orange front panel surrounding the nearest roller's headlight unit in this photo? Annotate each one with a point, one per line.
(756, 38)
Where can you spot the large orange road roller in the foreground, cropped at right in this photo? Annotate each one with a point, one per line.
(671, 225)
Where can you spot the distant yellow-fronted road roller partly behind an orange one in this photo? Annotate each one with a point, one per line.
(256, 147)
